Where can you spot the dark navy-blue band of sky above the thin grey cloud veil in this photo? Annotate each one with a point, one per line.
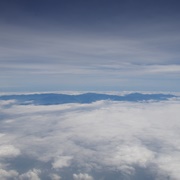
(89, 15)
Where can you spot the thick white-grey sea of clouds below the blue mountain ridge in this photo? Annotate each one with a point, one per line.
(104, 140)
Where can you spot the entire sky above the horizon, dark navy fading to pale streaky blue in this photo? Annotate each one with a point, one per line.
(89, 45)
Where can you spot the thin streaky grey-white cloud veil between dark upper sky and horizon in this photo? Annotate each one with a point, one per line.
(77, 58)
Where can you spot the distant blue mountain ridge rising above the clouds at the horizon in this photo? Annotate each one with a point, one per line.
(53, 98)
